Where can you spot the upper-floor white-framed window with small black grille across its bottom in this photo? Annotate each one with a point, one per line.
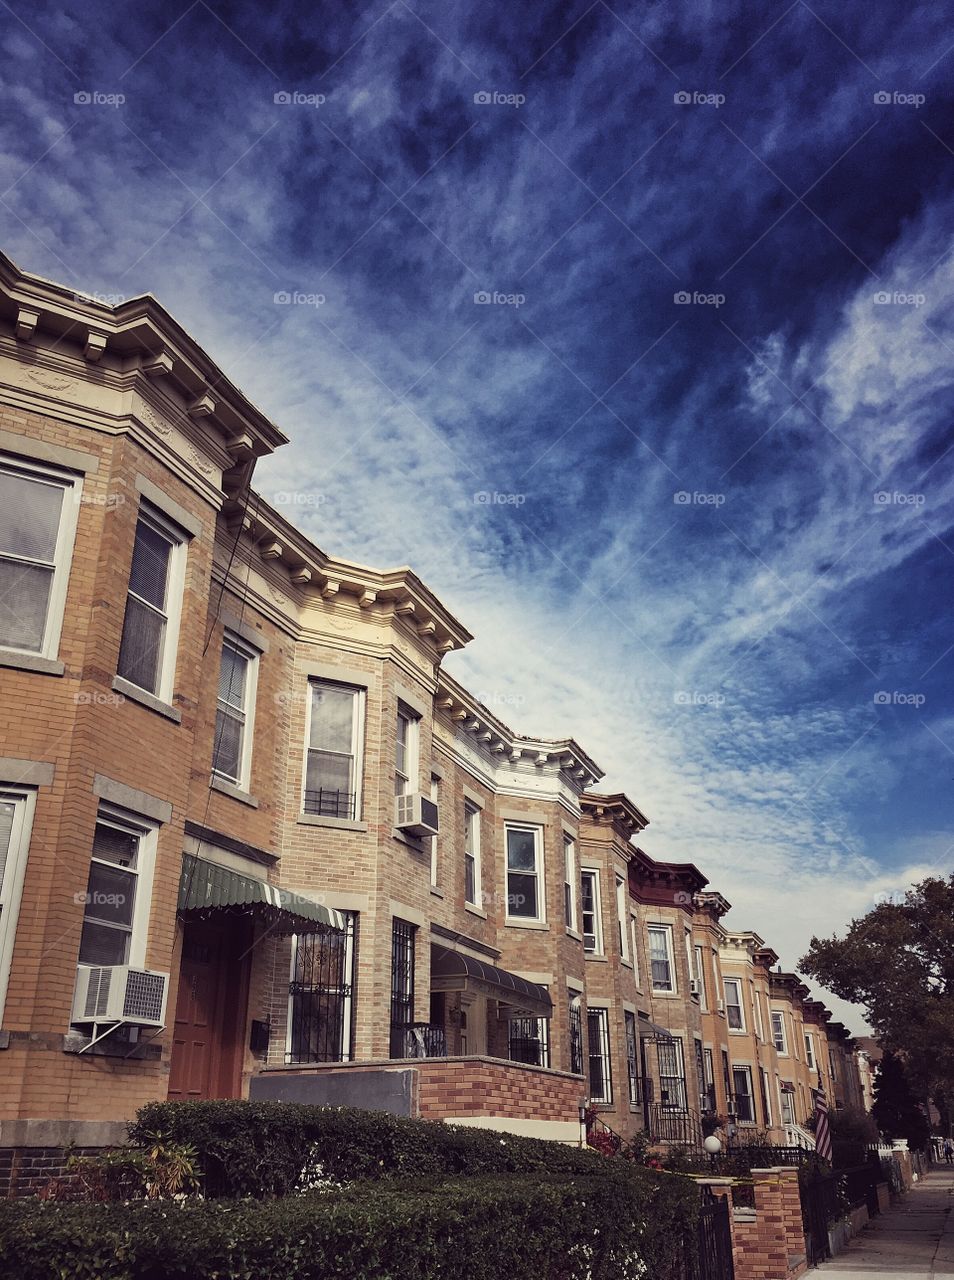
(334, 756)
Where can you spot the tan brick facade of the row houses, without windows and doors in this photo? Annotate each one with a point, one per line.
(156, 424)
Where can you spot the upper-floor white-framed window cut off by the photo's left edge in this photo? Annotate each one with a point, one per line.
(38, 523)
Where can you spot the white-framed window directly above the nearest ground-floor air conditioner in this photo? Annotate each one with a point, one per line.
(118, 892)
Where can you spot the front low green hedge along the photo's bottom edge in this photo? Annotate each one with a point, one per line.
(615, 1226)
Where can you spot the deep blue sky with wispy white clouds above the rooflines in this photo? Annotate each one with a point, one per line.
(686, 474)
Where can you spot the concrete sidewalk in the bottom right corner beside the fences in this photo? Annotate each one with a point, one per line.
(914, 1241)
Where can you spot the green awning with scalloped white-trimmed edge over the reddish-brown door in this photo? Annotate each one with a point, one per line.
(206, 888)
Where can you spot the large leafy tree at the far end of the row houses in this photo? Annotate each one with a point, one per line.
(898, 962)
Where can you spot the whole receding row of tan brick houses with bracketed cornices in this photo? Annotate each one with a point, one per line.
(257, 842)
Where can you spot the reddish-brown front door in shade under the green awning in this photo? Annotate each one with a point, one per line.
(209, 1032)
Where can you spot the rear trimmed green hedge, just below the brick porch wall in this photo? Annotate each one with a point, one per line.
(259, 1149)
